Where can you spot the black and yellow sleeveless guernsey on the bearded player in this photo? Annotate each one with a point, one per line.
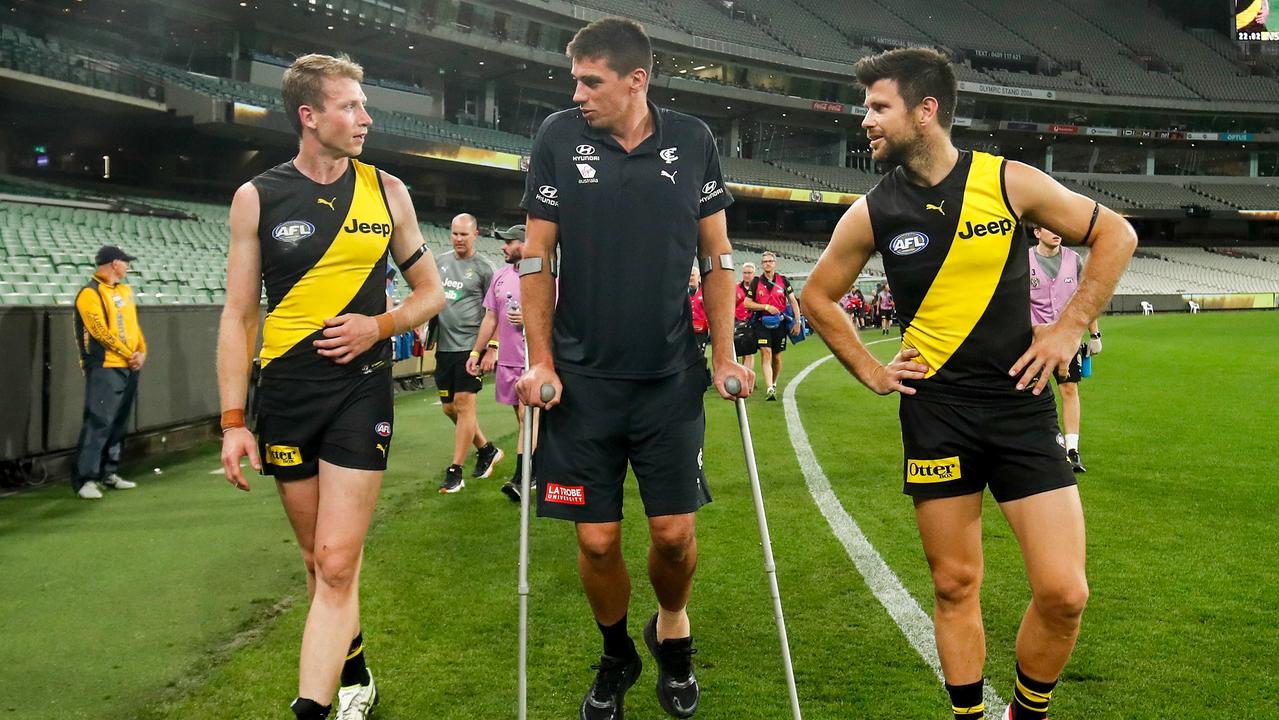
(957, 264)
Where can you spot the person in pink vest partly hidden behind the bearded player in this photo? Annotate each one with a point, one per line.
(1055, 277)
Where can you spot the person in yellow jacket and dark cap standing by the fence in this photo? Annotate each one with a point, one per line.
(112, 354)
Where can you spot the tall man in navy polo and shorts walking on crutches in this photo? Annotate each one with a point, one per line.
(620, 185)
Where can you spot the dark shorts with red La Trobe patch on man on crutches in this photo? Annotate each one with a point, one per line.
(602, 424)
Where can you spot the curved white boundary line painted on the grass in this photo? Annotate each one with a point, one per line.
(914, 622)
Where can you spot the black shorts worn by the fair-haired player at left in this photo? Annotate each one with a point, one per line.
(346, 423)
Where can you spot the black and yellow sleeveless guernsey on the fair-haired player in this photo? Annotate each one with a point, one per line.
(324, 254)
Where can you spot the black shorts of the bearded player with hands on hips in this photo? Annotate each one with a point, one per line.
(951, 451)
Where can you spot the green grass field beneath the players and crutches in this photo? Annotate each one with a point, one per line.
(184, 599)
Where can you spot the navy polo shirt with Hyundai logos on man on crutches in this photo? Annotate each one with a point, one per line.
(627, 240)
